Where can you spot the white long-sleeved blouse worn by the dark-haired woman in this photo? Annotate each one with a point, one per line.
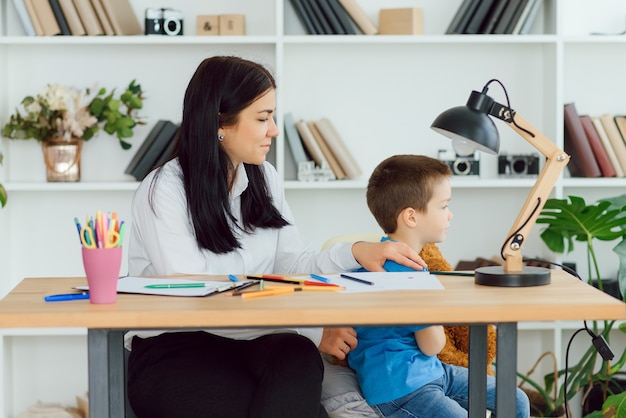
(162, 241)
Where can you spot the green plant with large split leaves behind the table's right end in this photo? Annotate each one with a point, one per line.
(569, 221)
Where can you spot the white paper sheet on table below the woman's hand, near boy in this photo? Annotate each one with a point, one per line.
(413, 280)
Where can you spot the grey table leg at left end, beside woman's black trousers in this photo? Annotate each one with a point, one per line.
(106, 373)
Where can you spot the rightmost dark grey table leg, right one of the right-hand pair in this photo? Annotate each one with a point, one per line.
(506, 376)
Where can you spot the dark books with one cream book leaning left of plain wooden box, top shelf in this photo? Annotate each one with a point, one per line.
(333, 17)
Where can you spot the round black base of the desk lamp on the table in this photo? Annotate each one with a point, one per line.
(496, 276)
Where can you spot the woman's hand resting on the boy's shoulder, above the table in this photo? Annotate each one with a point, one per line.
(372, 255)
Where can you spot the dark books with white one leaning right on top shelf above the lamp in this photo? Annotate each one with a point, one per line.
(514, 17)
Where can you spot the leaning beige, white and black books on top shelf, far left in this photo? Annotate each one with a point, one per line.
(77, 17)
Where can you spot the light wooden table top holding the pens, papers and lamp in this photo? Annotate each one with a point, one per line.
(462, 302)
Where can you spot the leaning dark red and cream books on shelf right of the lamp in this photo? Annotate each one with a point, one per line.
(596, 144)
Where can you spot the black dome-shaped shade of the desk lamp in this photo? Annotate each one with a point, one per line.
(464, 124)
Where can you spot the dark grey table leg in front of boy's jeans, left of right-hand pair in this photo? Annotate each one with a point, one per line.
(477, 371)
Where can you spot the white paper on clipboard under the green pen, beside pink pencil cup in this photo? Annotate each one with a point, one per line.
(131, 284)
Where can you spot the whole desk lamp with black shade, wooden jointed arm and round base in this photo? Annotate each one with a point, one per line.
(470, 129)
